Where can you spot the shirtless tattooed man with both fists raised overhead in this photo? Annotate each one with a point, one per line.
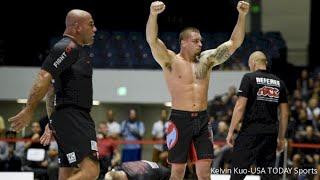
(187, 75)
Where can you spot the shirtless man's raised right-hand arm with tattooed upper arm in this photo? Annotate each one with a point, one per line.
(224, 51)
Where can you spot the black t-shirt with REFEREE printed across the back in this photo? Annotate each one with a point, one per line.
(265, 92)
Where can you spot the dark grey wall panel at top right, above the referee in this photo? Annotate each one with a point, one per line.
(291, 18)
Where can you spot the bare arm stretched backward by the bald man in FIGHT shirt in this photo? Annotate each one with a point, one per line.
(38, 91)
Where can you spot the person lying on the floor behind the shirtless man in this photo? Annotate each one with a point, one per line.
(139, 170)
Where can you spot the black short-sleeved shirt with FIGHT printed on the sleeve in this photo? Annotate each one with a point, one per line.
(71, 70)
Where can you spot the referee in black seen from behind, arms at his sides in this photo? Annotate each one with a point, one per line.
(261, 135)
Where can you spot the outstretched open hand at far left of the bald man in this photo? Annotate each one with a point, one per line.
(21, 120)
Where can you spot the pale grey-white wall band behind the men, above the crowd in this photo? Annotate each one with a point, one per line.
(143, 86)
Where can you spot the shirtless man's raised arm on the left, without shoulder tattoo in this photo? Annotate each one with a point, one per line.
(159, 51)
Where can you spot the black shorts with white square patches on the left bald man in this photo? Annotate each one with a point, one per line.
(74, 131)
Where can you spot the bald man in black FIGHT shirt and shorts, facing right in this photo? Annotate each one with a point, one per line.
(66, 78)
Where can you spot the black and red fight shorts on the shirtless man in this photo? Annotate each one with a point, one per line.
(188, 135)
